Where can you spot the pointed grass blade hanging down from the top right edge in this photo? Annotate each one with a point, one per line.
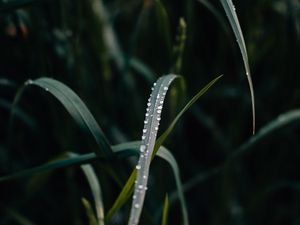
(235, 25)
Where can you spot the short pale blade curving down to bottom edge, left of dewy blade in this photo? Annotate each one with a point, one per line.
(95, 188)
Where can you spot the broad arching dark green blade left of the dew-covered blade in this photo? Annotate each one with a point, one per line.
(77, 109)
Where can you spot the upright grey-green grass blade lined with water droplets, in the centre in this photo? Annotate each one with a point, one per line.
(149, 133)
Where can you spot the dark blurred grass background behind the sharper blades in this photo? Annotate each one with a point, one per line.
(110, 53)
